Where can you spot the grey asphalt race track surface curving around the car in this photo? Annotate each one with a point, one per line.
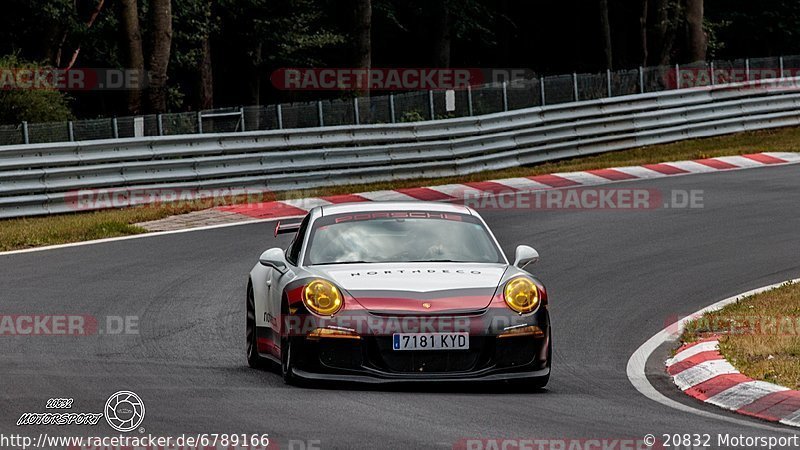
(615, 278)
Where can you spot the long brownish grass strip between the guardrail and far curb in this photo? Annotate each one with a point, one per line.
(39, 231)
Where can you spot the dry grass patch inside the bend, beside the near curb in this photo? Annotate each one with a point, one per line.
(760, 335)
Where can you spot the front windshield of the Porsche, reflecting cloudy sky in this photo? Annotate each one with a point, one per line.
(404, 236)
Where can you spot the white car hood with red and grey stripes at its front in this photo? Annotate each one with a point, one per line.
(417, 287)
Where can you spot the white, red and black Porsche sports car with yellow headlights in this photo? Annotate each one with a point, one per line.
(404, 291)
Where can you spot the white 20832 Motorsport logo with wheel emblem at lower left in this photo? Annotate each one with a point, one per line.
(124, 412)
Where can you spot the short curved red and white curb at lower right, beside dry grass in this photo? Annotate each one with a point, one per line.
(700, 370)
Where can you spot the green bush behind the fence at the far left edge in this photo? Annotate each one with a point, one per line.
(31, 105)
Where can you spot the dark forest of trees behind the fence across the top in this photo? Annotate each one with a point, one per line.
(201, 54)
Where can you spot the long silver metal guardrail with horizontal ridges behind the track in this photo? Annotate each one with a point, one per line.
(46, 178)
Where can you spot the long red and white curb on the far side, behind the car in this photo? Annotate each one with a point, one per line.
(471, 190)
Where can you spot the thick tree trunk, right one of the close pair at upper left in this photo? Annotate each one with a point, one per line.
(159, 59)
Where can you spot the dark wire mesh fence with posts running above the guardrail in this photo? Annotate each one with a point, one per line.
(518, 92)
